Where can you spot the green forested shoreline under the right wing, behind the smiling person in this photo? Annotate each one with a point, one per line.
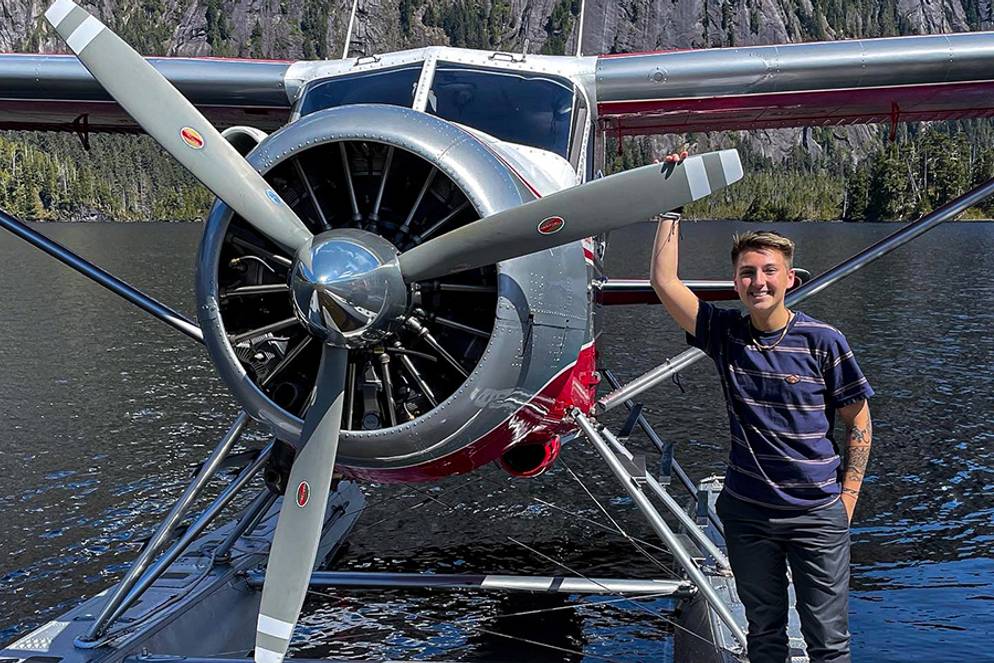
(924, 167)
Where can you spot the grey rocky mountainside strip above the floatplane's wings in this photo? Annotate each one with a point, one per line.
(316, 28)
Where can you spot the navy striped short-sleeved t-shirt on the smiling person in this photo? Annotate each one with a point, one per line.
(781, 405)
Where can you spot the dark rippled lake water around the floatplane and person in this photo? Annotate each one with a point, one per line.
(105, 413)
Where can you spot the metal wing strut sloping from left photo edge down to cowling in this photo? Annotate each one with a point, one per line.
(104, 278)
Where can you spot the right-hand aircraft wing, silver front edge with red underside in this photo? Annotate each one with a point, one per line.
(940, 77)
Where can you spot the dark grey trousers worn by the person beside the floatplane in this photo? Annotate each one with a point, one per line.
(815, 544)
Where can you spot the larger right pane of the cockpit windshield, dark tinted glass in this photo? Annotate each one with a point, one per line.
(518, 107)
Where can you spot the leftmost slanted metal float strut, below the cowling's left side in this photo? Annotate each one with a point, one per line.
(162, 534)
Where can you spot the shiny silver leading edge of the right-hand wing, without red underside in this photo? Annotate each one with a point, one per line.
(848, 64)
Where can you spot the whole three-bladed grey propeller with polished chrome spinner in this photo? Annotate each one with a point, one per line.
(351, 302)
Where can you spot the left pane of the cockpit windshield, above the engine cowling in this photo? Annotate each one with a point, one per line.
(390, 86)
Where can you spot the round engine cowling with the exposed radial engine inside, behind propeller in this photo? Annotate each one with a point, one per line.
(508, 329)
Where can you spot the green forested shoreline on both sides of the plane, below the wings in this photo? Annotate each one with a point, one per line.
(128, 178)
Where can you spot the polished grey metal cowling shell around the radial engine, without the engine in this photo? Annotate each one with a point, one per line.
(542, 308)
